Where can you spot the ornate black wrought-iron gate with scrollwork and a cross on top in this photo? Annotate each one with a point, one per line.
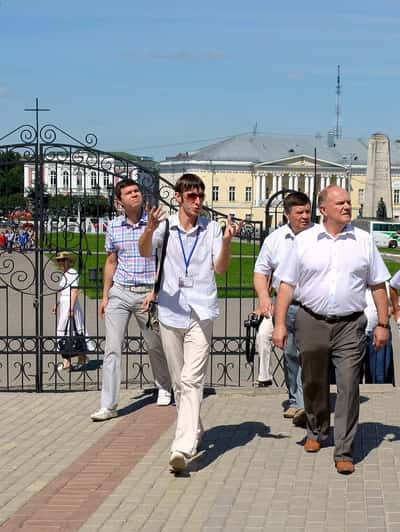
(68, 190)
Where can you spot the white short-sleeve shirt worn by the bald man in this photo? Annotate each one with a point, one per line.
(332, 274)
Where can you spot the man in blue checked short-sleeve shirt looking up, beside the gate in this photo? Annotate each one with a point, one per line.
(128, 289)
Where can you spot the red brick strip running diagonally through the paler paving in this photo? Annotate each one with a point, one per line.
(68, 501)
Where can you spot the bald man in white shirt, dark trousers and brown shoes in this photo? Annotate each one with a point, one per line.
(331, 266)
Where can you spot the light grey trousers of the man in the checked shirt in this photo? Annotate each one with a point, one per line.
(121, 305)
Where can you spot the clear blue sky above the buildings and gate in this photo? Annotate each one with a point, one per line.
(151, 77)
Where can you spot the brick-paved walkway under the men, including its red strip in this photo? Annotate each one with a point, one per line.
(60, 471)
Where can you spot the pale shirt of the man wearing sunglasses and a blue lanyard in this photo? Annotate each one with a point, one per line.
(176, 303)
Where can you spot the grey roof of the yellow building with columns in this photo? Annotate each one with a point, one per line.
(262, 148)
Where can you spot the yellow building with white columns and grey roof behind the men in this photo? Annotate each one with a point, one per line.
(243, 171)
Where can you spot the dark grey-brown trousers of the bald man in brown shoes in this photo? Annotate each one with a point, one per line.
(343, 343)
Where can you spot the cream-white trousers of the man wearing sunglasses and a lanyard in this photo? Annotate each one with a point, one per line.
(187, 352)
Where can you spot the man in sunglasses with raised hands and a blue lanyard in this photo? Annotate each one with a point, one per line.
(188, 302)
